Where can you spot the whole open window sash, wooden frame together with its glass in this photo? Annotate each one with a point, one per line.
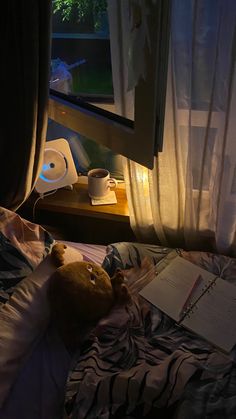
(81, 44)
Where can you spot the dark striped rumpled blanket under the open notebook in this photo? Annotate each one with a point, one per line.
(138, 364)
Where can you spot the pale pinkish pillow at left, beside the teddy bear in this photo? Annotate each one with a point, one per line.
(24, 319)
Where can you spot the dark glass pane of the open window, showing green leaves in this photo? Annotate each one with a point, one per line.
(81, 59)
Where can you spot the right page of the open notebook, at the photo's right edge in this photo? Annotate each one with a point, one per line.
(214, 315)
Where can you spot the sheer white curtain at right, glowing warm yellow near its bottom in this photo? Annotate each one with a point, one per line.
(189, 198)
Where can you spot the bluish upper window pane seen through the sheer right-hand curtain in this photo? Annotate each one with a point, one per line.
(194, 40)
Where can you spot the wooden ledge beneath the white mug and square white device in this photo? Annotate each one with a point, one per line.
(69, 215)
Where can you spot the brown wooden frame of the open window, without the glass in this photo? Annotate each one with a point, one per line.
(142, 139)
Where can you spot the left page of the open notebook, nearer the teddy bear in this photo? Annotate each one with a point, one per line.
(171, 288)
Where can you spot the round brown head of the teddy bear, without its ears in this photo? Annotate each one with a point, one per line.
(82, 291)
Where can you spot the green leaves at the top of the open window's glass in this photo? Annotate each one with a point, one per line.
(82, 9)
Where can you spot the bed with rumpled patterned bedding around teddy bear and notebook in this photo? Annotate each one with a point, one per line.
(135, 363)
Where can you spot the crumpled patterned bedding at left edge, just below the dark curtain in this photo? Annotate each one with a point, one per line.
(23, 245)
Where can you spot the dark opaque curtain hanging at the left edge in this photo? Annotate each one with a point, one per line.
(25, 70)
